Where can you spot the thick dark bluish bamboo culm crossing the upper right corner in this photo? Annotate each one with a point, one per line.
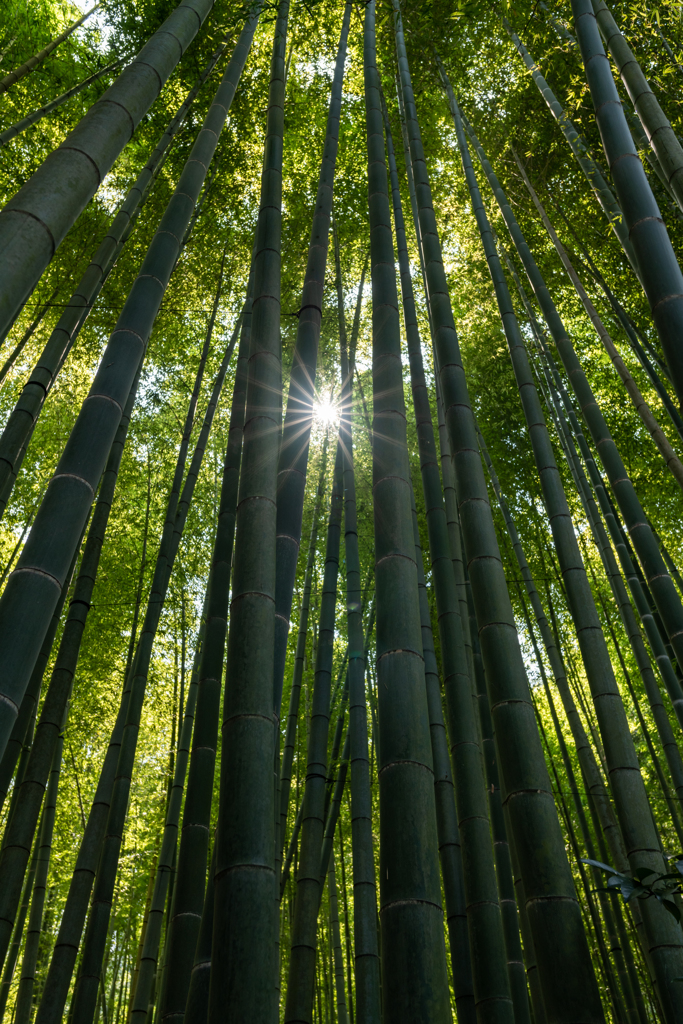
(662, 277)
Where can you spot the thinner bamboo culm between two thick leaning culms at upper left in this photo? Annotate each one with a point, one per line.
(18, 432)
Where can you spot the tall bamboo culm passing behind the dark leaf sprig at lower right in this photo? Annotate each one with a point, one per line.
(627, 785)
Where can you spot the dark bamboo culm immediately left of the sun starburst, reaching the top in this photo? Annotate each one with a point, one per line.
(298, 419)
